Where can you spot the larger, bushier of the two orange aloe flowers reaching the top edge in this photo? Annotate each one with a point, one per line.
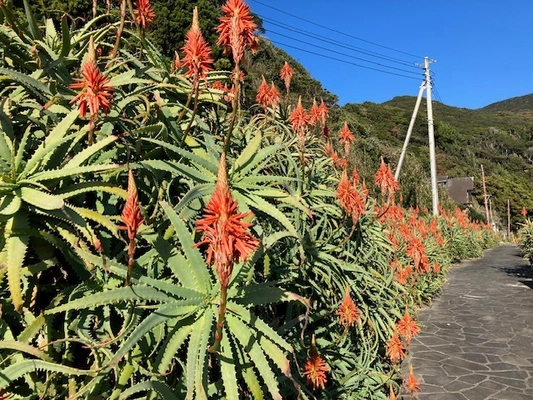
(236, 29)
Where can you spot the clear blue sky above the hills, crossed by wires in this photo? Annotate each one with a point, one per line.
(483, 48)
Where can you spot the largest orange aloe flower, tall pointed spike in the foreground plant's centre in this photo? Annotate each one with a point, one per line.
(225, 232)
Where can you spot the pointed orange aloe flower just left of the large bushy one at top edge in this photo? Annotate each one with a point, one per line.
(197, 58)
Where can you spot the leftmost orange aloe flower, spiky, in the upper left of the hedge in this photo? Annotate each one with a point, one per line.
(96, 92)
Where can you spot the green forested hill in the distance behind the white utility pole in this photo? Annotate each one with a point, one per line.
(495, 136)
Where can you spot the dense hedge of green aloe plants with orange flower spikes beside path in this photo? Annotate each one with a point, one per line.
(157, 241)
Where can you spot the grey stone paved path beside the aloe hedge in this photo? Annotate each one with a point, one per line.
(476, 341)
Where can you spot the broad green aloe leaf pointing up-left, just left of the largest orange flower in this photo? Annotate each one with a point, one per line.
(198, 268)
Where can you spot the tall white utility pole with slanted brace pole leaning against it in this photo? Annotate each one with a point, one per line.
(425, 86)
